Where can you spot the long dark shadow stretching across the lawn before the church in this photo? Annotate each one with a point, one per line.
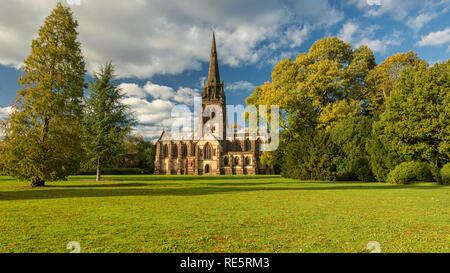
(78, 192)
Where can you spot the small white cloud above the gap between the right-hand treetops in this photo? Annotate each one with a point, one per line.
(356, 35)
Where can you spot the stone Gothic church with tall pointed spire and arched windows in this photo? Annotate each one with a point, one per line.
(210, 150)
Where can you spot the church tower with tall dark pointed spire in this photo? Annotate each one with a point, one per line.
(213, 110)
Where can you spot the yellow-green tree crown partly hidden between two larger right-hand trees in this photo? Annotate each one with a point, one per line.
(381, 80)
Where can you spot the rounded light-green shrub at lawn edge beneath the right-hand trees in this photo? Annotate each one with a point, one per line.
(409, 172)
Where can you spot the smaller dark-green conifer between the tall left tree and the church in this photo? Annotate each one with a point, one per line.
(107, 121)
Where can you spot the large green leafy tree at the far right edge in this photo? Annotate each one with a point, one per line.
(416, 123)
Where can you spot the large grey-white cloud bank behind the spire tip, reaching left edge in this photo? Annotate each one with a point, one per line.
(149, 37)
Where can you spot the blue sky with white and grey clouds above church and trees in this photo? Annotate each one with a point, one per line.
(161, 48)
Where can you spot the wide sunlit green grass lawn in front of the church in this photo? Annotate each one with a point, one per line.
(222, 214)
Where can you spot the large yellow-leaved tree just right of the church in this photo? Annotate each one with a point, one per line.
(317, 90)
